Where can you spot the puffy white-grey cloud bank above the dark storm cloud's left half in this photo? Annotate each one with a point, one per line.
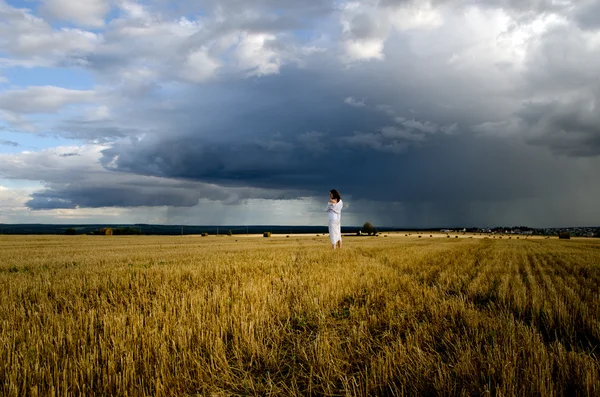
(192, 50)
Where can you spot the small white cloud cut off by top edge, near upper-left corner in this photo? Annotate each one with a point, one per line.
(81, 12)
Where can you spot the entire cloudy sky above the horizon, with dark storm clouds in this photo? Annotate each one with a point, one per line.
(422, 113)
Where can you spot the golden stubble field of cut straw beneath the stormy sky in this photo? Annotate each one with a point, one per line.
(213, 316)
